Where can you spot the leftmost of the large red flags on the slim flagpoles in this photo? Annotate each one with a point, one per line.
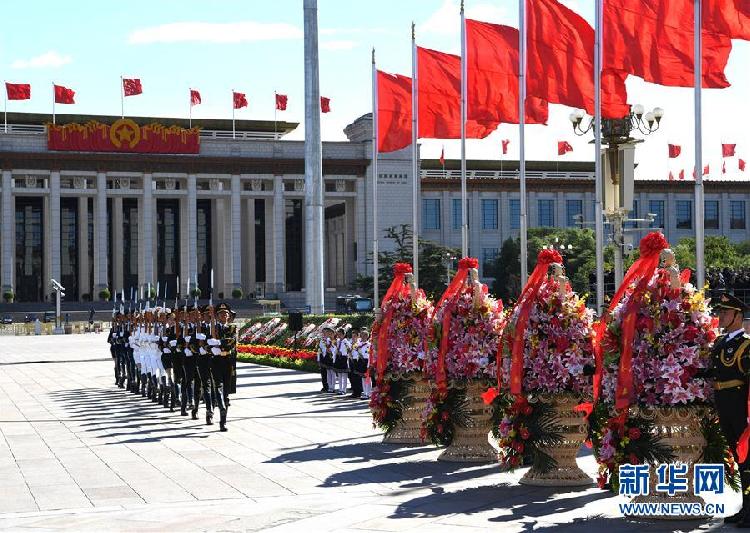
(394, 112)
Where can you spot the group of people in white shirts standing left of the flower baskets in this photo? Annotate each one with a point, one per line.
(345, 359)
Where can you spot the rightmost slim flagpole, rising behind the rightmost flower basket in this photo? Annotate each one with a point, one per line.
(700, 271)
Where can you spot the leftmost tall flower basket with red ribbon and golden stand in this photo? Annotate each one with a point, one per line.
(400, 391)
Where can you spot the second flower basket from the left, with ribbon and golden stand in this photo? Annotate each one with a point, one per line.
(461, 359)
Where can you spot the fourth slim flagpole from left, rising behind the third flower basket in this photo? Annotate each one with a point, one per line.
(521, 136)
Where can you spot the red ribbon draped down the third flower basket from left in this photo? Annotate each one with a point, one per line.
(525, 301)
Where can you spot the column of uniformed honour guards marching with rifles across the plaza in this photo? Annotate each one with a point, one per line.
(177, 358)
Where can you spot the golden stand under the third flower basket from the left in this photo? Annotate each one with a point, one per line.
(573, 428)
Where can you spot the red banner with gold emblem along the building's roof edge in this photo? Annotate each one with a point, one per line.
(123, 136)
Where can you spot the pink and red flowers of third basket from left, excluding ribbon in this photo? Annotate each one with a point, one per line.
(557, 342)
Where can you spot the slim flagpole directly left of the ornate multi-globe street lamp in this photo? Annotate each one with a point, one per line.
(598, 187)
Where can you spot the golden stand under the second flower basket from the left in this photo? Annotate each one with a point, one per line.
(471, 444)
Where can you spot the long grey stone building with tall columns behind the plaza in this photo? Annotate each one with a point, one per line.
(120, 221)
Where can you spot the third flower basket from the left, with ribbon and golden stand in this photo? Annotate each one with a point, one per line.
(546, 363)
